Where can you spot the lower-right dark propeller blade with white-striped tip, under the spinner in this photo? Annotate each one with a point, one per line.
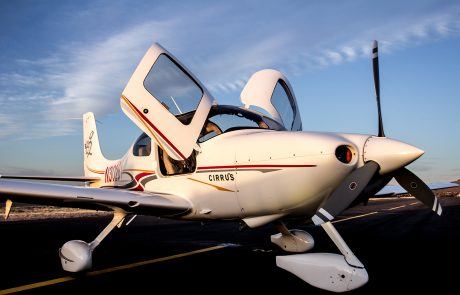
(417, 188)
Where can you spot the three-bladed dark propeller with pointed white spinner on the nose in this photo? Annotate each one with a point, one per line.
(365, 180)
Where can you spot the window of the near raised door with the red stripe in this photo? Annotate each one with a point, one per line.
(172, 86)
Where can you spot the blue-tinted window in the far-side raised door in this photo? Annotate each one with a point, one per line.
(284, 103)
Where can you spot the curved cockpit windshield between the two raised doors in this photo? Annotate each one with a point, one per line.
(223, 119)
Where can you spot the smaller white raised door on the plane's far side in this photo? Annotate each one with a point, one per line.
(270, 90)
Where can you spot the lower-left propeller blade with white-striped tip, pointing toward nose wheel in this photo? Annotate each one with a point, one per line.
(350, 188)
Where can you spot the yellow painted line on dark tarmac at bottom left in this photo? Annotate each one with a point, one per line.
(107, 270)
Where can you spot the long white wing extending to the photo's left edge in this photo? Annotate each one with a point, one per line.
(146, 203)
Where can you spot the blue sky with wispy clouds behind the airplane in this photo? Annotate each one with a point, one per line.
(60, 59)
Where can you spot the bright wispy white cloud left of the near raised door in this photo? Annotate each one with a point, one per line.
(44, 99)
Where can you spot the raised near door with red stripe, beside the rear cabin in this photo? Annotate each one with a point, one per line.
(160, 89)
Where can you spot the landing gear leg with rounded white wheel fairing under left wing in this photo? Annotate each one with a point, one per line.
(77, 256)
